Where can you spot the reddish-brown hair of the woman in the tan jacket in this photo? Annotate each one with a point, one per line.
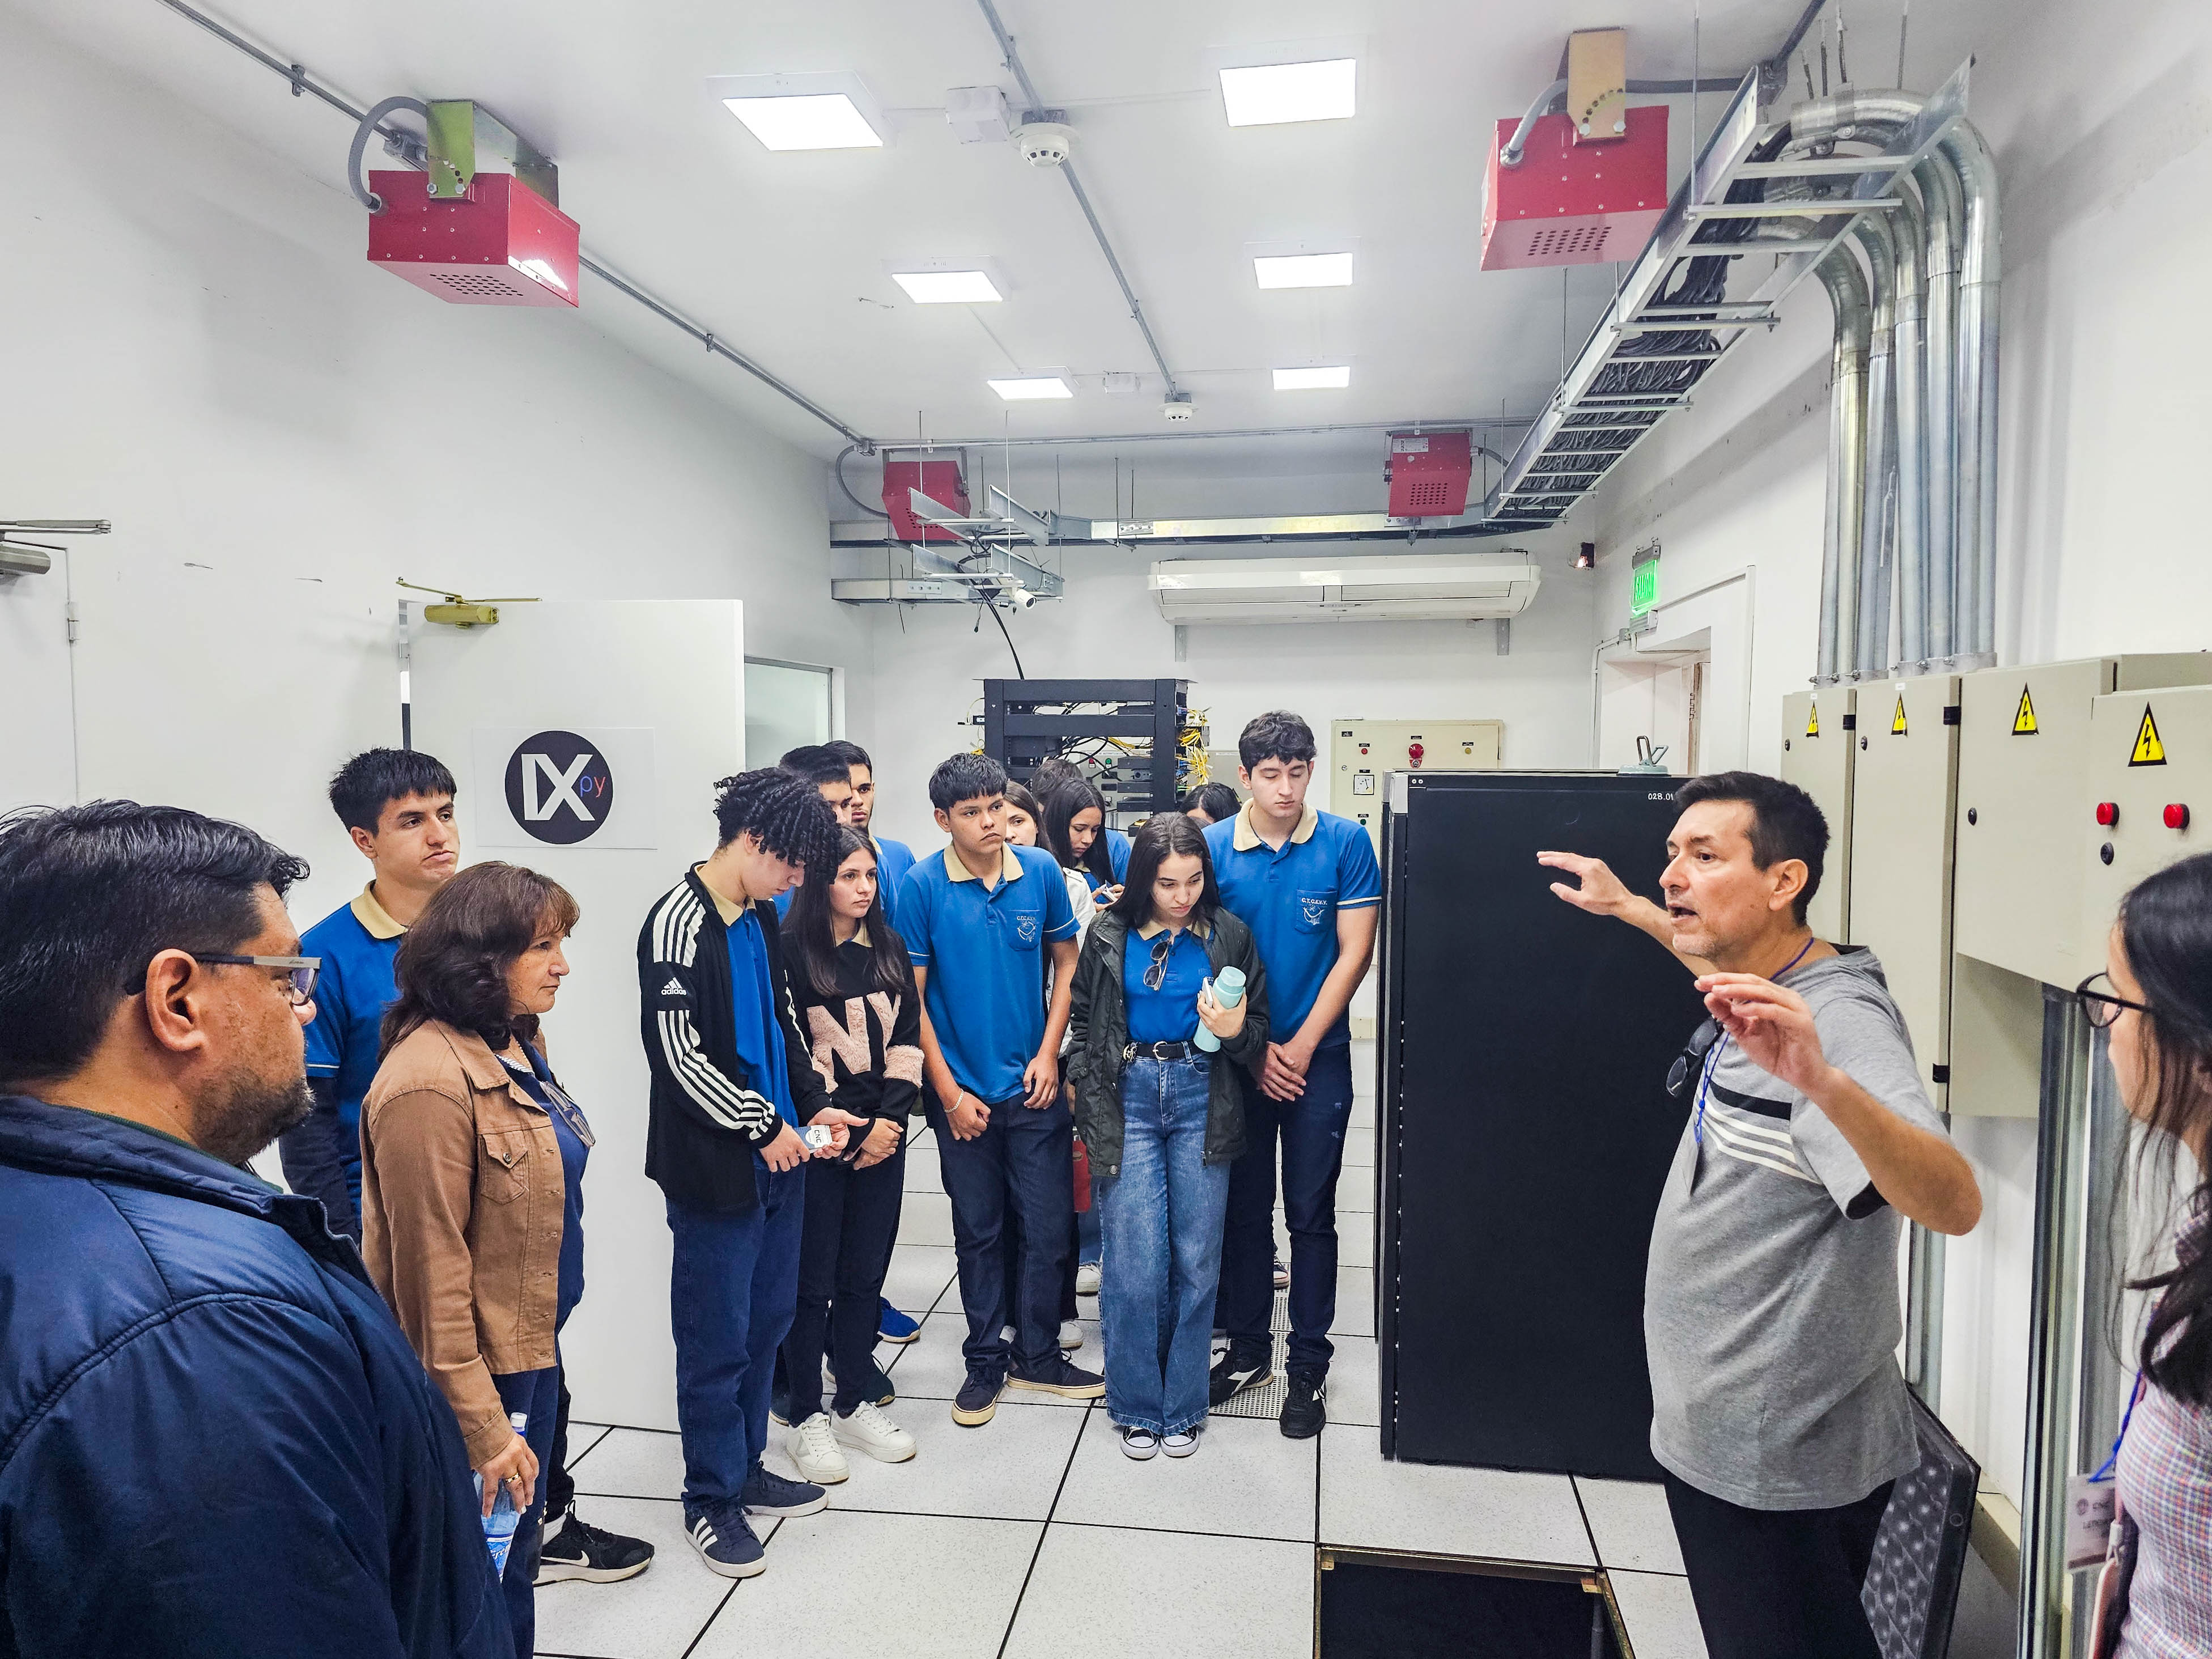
(455, 961)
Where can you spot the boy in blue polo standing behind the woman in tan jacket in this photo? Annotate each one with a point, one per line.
(399, 811)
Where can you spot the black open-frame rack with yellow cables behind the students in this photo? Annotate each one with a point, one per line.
(1123, 733)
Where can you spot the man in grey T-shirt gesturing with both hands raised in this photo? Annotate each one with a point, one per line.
(1771, 1306)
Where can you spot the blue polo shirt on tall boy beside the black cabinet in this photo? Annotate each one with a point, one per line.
(1288, 897)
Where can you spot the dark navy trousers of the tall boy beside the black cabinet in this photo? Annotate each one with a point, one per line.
(1313, 1136)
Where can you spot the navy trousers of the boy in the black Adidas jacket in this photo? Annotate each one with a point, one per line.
(731, 1302)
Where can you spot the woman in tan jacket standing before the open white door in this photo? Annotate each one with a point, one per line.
(472, 1165)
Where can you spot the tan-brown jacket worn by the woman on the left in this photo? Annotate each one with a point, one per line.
(461, 1220)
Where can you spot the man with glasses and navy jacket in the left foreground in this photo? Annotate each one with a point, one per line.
(216, 1434)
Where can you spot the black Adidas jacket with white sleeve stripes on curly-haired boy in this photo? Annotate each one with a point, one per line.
(707, 1116)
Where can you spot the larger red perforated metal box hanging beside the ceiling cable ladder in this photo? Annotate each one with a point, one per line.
(1574, 205)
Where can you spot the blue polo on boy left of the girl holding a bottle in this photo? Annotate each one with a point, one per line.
(985, 950)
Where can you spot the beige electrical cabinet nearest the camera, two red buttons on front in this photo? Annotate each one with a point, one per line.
(2151, 775)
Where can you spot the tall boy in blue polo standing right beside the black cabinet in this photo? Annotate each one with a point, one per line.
(1308, 888)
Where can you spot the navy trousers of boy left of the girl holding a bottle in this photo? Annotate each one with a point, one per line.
(1019, 1171)
